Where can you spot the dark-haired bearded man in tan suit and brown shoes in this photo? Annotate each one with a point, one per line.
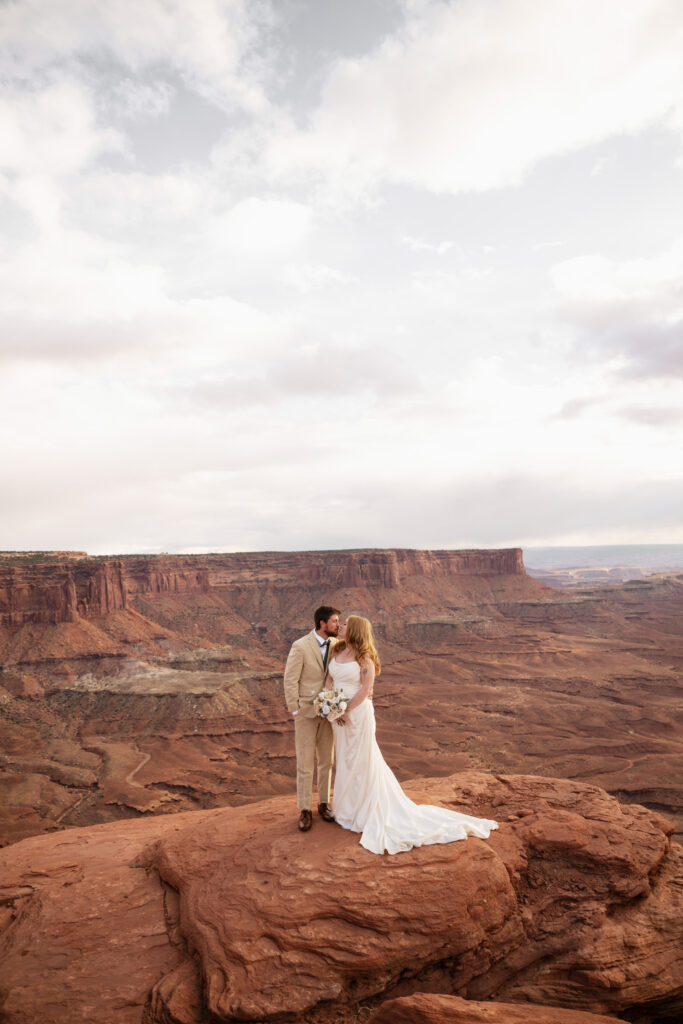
(305, 673)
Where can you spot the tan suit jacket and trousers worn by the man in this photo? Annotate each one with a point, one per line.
(305, 673)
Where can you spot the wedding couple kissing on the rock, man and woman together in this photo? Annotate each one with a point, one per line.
(340, 654)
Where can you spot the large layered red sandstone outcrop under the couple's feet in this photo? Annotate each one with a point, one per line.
(578, 904)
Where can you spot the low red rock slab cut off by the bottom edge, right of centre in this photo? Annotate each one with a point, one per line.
(430, 1009)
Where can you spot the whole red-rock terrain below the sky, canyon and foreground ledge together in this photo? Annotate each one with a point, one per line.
(152, 871)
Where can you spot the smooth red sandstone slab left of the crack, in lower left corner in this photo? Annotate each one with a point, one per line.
(86, 930)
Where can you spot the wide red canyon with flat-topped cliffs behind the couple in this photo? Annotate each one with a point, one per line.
(153, 685)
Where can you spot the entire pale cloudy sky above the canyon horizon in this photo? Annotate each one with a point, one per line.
(304, 274)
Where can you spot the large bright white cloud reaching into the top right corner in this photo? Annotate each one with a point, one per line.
(471, 96)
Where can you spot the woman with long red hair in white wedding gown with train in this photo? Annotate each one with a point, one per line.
(368, 798)
